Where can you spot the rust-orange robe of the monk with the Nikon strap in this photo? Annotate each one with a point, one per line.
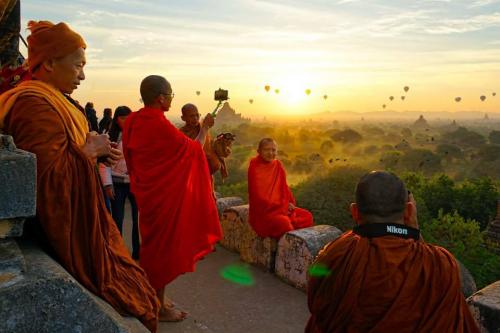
(386, 284)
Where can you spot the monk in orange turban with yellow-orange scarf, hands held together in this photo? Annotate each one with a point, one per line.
(42, 118)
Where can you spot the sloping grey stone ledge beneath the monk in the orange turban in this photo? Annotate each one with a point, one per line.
(48, 299)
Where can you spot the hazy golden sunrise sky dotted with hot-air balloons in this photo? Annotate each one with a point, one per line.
(358, 53)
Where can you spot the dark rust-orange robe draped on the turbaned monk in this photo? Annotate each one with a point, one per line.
(71, 208)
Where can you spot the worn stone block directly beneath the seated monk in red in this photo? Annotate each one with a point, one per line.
(240, 237)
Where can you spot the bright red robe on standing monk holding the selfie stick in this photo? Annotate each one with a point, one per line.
(169, 177)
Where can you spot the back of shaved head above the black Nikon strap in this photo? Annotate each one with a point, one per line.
(381, 194)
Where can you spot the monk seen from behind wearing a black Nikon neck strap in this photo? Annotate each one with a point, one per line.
(382, 277)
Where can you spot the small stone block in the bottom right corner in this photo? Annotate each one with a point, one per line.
(485, 307)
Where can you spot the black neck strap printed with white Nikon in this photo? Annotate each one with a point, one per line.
(372, 230)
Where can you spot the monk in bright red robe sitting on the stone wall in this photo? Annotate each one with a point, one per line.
(272, 205)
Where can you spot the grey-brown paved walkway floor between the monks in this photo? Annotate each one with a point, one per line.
(219, 305)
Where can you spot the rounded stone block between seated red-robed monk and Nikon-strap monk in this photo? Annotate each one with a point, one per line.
(297, 250)
